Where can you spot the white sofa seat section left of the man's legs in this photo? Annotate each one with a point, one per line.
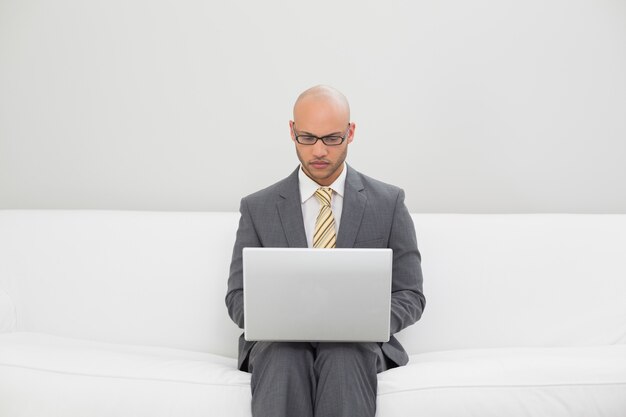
(48, 375)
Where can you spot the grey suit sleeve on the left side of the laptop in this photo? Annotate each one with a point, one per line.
(246, 237)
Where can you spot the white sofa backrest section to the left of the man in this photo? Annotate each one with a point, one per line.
(130, 277)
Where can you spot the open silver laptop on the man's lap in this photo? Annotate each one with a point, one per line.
(303, 294)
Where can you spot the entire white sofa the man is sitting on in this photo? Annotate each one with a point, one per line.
(121, 313)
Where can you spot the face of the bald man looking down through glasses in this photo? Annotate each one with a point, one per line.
(321, 117)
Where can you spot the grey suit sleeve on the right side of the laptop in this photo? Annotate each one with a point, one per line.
(407, 297)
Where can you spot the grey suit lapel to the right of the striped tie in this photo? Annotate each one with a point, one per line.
(354, 201)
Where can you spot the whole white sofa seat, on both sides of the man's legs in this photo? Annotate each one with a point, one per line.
(40, 373)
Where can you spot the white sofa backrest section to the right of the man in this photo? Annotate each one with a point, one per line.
(526, 280)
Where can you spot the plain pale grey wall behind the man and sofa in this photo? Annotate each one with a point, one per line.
(471, 106)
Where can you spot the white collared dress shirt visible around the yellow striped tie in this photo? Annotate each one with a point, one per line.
(310, 205)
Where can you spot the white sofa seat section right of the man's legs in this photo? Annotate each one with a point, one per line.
(555, 382)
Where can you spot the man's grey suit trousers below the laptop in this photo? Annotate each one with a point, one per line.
(315, 379)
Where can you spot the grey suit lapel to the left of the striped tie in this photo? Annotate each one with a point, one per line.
(290, 212)
